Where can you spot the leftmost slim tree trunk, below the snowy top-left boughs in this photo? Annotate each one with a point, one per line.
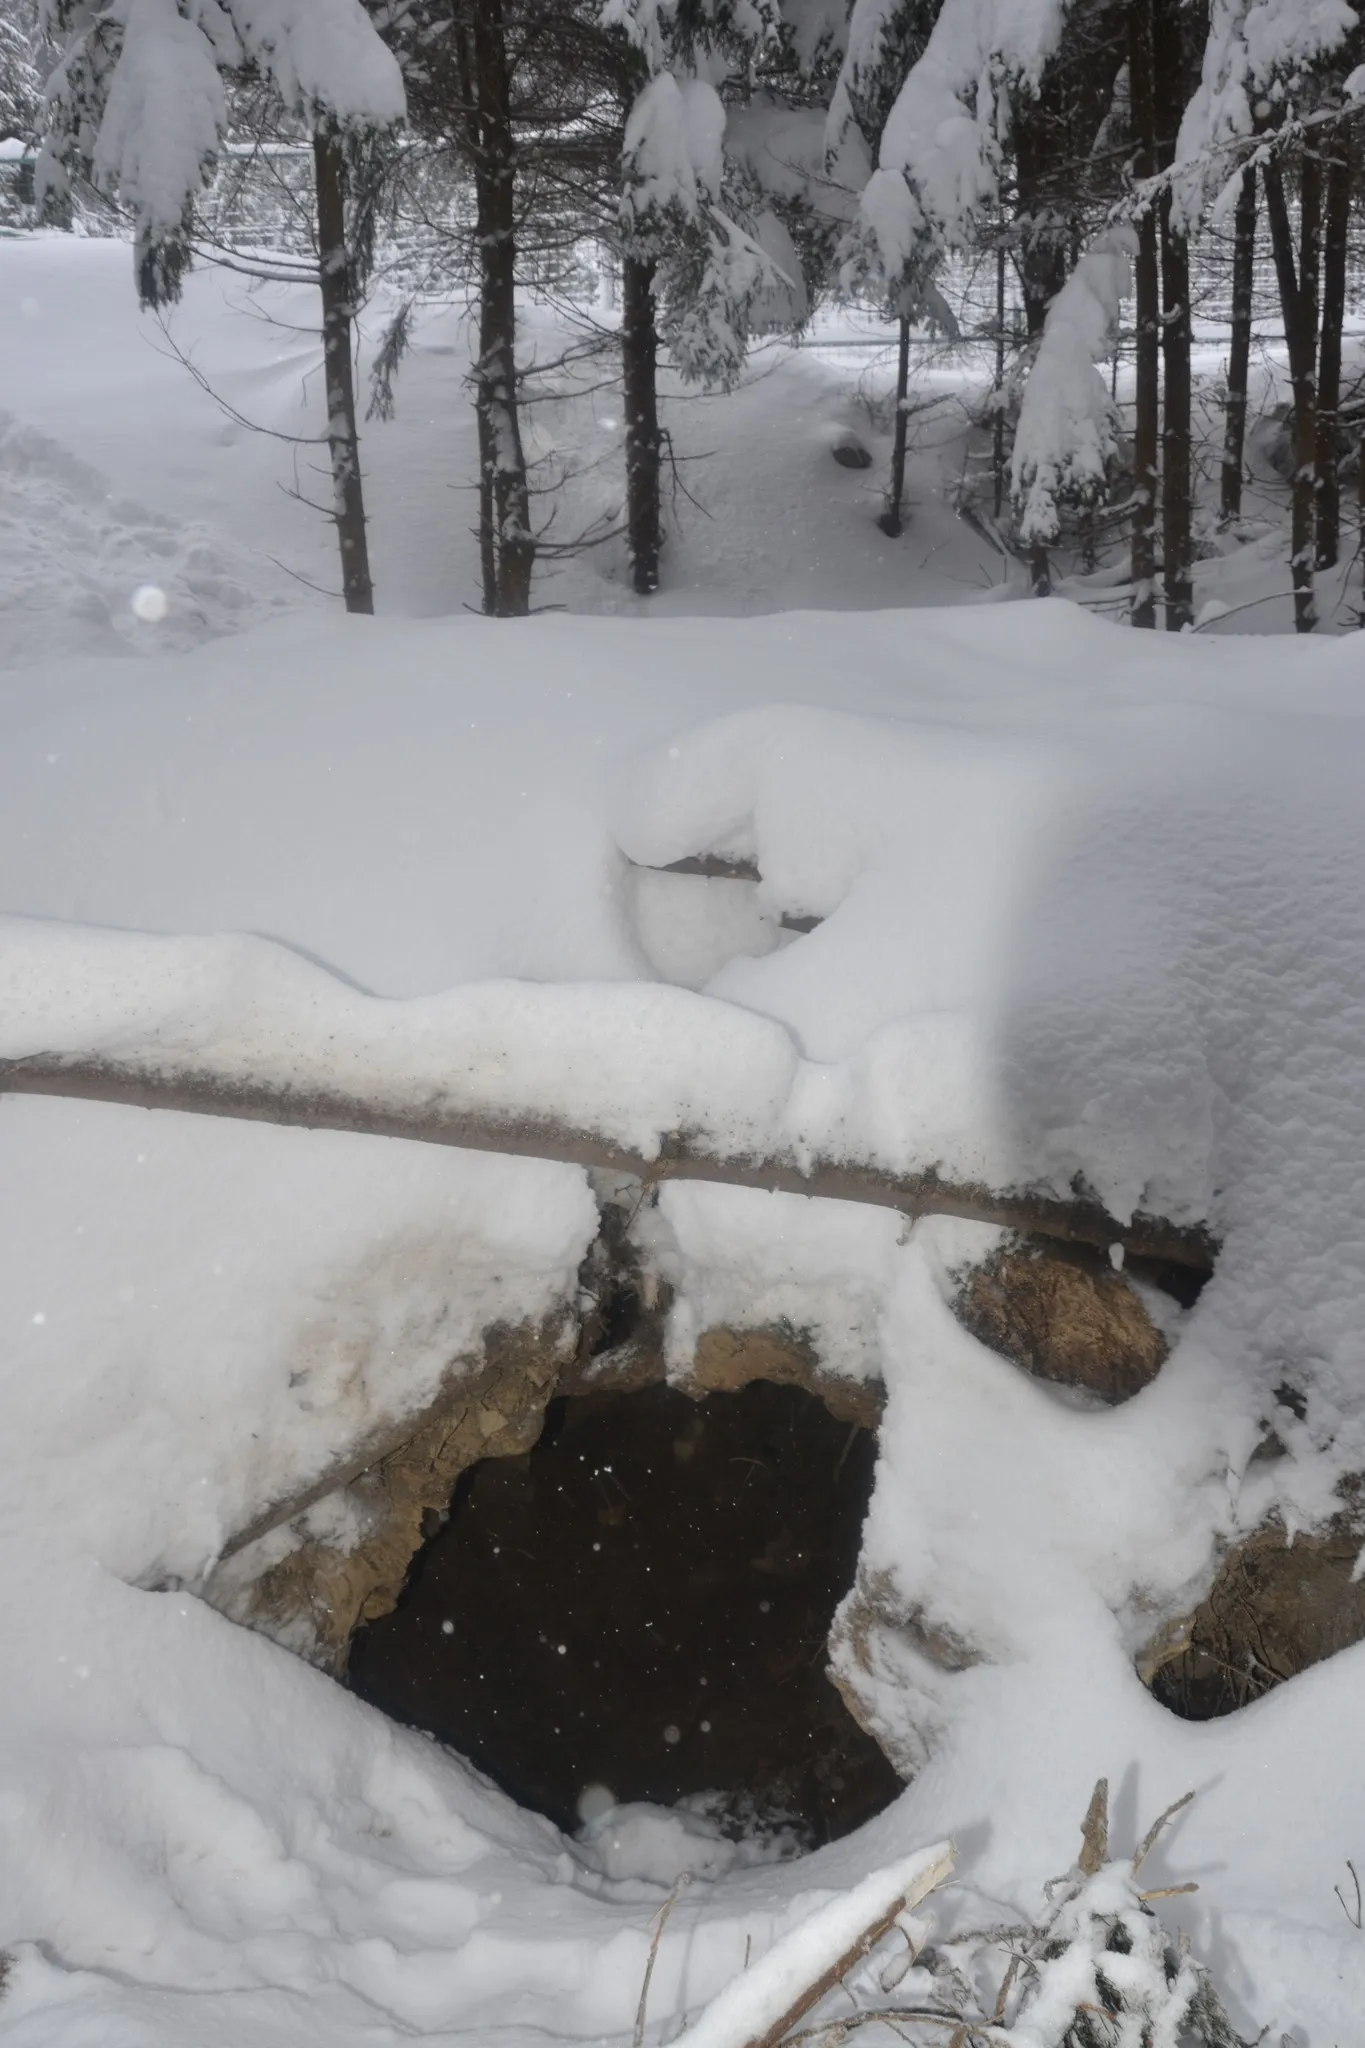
(339, 312)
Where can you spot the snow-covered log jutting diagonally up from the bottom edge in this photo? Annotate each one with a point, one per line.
(760, 2006)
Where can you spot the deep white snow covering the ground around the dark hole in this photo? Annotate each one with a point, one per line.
(1094, 902)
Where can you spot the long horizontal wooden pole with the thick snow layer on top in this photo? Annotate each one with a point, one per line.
(637, 1078)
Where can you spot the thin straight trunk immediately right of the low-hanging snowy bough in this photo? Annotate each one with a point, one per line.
(1147, 286)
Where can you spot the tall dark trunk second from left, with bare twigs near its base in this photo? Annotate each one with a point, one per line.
(513, 552)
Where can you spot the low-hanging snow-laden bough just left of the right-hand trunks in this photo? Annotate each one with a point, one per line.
(1069, 429)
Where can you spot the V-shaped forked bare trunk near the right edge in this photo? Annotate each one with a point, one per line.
(1298, 298)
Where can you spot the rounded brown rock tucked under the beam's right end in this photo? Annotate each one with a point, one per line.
(1065, 1316)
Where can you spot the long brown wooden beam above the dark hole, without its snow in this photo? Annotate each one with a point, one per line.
(202, 1093)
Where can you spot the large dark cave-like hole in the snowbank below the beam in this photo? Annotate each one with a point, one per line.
(642, 1603)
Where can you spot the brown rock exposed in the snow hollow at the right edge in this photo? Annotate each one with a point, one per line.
(1274, 1611)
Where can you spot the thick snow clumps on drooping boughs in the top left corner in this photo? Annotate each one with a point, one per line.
(138, 99)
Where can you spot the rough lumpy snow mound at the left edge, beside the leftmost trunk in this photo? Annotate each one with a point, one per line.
(89, 572)
